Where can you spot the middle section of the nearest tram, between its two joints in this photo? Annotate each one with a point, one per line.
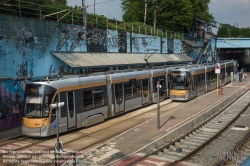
(130, 90)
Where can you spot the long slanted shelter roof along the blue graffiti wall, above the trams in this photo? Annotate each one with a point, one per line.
(78, 60)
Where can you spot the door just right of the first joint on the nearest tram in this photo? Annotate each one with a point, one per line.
(118, 98)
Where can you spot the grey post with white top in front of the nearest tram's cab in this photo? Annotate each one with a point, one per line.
(58, 145)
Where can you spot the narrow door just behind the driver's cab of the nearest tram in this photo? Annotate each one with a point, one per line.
(71, 117)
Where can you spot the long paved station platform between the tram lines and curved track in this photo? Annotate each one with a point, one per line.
(144, 138)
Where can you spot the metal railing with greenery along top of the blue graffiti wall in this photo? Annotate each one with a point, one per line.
(72, 15)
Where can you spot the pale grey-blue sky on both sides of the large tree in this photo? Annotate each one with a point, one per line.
(233, 12)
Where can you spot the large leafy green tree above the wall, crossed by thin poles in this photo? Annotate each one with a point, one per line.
(173, 15)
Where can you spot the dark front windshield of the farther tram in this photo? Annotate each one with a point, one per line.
(179, 81)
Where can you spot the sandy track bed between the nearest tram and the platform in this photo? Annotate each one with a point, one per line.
(94, 131)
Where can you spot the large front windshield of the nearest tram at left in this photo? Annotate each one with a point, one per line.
(36, 104)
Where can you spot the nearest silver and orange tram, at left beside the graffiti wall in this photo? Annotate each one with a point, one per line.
(89, 100)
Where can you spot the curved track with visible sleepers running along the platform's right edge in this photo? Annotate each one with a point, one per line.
(191, 142)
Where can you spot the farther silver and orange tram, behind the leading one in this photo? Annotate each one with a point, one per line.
(188, 82)
